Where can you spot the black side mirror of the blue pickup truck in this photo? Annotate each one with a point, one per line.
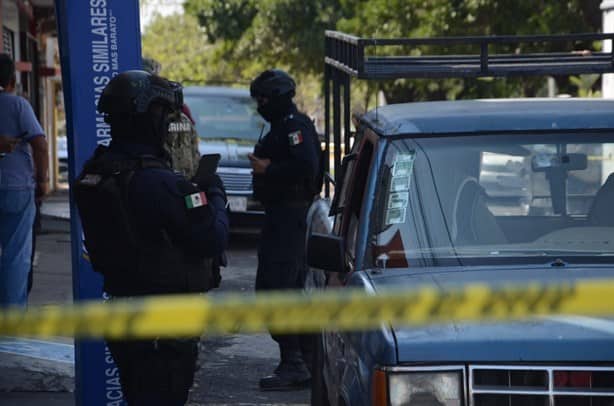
(326, 252)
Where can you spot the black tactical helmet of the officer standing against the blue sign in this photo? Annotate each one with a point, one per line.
(133, 91)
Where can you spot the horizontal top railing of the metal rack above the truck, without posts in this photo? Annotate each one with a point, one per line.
(347, 53)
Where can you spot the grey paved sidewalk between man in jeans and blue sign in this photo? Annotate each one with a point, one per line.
(41, 372)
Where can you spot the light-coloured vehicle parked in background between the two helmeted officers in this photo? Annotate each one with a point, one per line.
(228, 124)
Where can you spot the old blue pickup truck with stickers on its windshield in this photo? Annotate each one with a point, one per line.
(441, 194)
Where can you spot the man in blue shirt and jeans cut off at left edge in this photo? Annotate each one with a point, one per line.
(24, 179)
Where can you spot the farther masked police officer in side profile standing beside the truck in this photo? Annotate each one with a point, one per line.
(285, 166)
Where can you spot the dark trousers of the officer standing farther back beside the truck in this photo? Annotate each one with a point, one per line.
(282, 264)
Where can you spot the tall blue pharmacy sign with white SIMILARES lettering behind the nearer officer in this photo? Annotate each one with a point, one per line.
(98, 39)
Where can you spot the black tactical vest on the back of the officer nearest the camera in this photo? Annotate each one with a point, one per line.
(130, 266)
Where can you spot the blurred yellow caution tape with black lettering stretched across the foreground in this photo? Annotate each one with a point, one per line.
(192, 315)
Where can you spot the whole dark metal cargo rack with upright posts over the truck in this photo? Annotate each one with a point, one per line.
(346, 57)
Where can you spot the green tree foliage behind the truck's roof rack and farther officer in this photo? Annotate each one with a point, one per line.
(239, 38)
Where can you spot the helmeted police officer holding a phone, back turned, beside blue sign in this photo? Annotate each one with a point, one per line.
(147, 229)
